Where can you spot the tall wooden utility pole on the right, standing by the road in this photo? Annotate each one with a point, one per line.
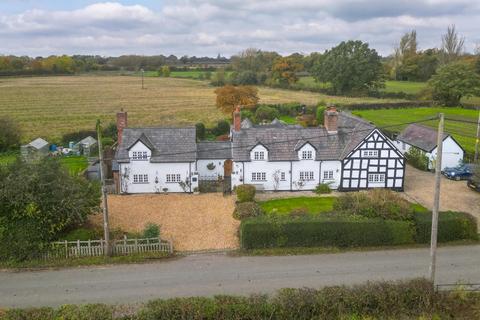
(436, 200)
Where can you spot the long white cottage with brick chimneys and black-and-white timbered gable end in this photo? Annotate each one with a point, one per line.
(348, 153)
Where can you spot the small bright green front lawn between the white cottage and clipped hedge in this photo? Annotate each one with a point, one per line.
(312, 205)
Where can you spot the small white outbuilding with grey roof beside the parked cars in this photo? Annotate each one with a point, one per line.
(425, 139)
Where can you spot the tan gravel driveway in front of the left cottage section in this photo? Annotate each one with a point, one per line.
(192, 222)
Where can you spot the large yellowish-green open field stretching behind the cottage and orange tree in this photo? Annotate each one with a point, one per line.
(51, 106)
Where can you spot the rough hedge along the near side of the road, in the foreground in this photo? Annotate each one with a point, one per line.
(413, 299)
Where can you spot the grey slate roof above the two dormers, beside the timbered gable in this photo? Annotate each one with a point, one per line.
(283, 141)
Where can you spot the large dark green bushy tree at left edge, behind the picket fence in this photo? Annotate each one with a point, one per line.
(38, 201)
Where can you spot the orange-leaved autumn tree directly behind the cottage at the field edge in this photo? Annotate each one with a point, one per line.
(228, 97)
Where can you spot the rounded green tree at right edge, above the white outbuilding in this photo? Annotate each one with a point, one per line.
(454, 81)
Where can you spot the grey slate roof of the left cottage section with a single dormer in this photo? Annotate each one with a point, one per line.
(167, 144)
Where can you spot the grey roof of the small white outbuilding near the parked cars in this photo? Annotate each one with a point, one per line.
(422, 137)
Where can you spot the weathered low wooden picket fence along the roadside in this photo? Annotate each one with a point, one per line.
(92, 248)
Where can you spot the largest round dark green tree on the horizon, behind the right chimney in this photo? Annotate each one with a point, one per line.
(350, 67)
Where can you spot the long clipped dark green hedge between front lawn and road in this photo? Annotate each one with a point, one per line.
(313, 232)
